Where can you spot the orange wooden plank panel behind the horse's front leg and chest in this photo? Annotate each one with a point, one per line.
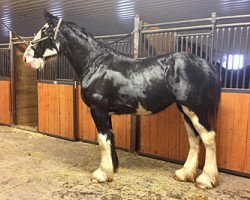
(87, 130)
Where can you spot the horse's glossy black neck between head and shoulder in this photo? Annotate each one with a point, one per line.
(81, 52)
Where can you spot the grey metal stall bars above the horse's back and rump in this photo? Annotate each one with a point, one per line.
(207, 35)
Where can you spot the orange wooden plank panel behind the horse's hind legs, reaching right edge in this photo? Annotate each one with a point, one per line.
(164, 134)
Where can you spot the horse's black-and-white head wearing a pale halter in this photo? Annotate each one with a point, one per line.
(47, 42)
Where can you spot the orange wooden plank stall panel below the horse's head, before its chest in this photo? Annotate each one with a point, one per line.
(55, 109)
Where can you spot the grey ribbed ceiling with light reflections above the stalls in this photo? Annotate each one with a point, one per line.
(102, 17)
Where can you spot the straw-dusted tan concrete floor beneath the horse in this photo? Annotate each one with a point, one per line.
(34, 166)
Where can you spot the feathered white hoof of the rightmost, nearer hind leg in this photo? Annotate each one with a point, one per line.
(206, 182)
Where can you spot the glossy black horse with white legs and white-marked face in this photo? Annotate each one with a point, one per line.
(113, 83)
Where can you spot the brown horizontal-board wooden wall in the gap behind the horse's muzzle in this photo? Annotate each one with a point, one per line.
(25, 90)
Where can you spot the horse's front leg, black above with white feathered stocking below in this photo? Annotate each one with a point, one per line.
(109, 159)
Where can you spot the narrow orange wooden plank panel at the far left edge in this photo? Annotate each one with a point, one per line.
(5, 102)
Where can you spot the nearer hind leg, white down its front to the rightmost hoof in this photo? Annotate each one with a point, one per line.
(209, 176)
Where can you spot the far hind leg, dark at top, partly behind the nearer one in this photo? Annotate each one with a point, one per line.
(189, 171)
